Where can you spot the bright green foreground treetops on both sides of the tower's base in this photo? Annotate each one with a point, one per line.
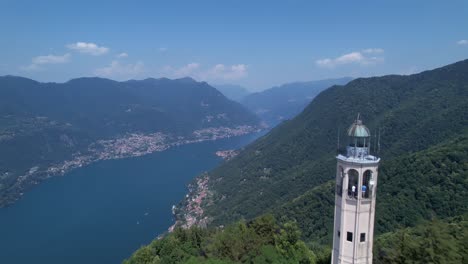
(266, 240)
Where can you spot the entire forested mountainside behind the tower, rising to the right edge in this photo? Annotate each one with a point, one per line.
(423, 123)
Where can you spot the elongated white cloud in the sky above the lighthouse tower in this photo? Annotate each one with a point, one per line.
(364, 57)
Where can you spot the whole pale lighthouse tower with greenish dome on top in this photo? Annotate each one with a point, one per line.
(356, 186)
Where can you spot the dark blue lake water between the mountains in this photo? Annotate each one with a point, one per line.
(103, 212)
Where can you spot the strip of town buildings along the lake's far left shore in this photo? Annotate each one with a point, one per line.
(131, 145)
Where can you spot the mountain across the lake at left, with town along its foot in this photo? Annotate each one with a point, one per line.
(50, 128)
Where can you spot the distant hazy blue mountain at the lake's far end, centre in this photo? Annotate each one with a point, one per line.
(286, 101)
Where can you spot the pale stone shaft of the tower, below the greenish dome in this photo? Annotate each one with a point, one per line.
(353, 213)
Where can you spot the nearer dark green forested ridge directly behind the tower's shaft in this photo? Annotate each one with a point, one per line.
(412, 187)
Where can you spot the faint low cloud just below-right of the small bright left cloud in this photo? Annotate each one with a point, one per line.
(121, 71)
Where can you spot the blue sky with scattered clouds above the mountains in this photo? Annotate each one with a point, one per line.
(256, 44)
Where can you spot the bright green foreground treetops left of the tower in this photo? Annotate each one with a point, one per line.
(262, 240)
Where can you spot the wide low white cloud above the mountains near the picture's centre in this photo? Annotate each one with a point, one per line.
(218, 72)
